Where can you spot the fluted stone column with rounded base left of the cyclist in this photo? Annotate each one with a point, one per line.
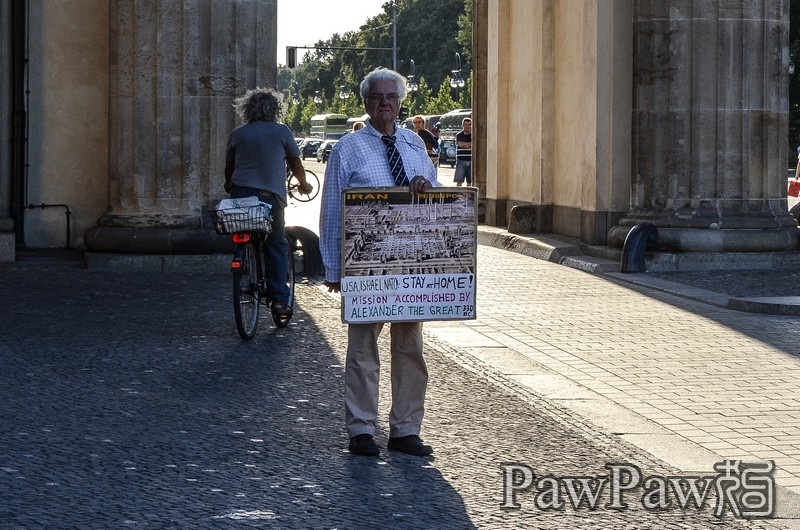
(176, 66)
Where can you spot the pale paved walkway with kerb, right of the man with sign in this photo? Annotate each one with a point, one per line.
(690, 366)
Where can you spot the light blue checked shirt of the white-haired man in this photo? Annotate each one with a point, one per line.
(358, 160)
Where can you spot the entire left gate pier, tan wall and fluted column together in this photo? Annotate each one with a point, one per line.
(129, 108)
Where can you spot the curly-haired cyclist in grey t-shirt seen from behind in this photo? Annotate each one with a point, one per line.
(255, 165)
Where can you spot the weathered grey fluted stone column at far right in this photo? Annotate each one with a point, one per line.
(710, 123)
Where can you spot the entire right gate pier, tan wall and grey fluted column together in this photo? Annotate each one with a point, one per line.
(600, 115)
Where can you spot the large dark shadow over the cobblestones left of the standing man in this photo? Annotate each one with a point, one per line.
(129, 400)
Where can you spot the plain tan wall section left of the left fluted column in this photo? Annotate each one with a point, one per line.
(68, 120)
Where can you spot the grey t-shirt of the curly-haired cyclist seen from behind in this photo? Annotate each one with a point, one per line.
(258, 151)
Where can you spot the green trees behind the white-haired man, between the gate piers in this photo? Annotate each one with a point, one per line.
(429, 32)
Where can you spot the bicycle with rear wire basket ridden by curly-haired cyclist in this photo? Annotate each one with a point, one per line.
(249, 225)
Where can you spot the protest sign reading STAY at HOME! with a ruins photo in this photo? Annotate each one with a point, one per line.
(408, 257)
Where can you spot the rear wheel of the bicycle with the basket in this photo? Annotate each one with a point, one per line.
(245, 290)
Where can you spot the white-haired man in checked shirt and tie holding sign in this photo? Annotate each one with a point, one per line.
(380, 154)
